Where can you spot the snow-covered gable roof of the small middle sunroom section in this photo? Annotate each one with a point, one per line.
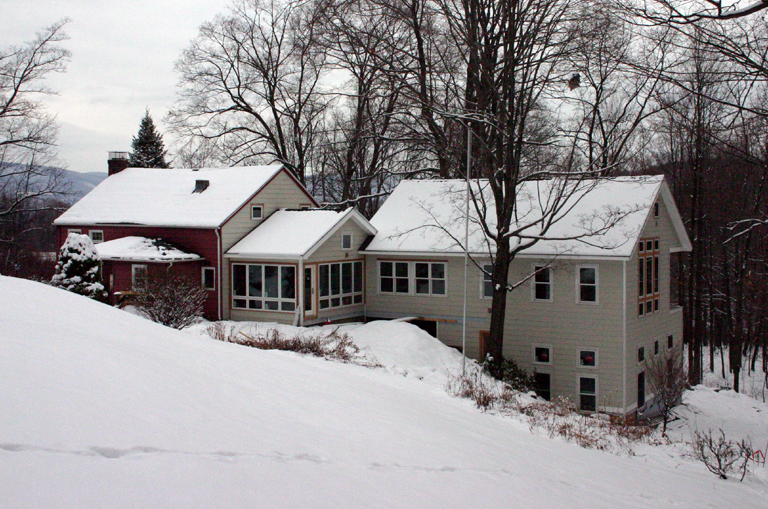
(295, 233)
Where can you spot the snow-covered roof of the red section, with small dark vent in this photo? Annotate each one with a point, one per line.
(166, 197)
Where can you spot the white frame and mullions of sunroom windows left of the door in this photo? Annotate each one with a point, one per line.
(263, 299)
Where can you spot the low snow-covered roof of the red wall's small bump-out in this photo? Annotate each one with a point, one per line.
(141, 249)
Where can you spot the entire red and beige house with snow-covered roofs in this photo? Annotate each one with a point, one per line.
(594, 303)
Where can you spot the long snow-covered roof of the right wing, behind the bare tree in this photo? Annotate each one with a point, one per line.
(592, 218)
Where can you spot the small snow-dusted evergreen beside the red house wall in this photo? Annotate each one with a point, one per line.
(78, 269)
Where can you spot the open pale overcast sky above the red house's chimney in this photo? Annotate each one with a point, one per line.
(123, 53)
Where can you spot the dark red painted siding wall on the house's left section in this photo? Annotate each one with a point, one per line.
(200, 241)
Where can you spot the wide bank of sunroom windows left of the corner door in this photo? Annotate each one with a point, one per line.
(264, 287)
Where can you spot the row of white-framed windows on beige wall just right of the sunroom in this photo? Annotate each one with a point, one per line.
(419, 278)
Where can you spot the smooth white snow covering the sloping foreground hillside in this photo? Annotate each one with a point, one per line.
(101, 408)
